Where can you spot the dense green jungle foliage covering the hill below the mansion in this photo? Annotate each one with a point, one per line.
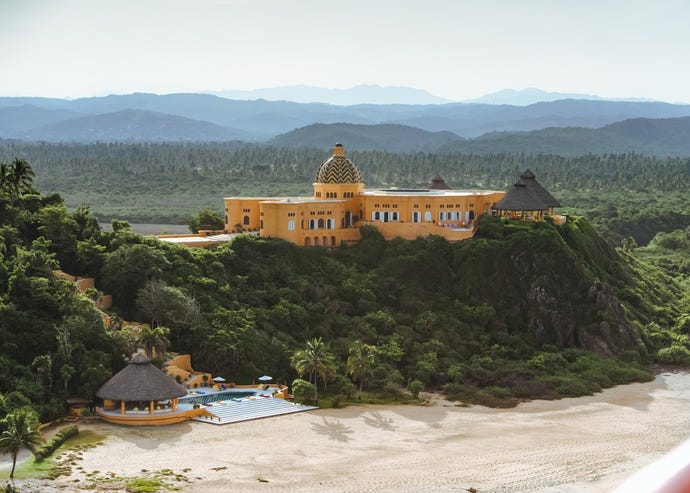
(522, 311)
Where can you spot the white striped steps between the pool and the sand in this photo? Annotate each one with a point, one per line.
(247, 409)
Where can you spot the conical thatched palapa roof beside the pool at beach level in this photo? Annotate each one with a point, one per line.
(140, 381)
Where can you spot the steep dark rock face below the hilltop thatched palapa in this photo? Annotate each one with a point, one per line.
(554, 282)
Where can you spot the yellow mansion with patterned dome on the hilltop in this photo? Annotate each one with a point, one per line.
(341, 204)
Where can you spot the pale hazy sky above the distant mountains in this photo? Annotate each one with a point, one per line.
(453, 48)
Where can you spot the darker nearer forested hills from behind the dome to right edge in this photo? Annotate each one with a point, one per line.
(655, 137)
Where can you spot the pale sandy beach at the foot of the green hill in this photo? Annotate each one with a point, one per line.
(584, 444)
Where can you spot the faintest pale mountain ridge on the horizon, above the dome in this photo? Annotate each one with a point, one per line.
(363, 94)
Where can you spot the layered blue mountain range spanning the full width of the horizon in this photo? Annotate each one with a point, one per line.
(539, 127)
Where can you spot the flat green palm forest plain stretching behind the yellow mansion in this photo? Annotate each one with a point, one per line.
(621, 194)
